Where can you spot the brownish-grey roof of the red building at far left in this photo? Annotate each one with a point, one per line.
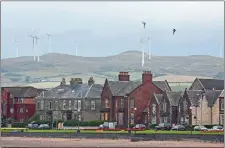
(23, 92)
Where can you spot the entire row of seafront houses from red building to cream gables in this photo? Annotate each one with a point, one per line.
(123, 101)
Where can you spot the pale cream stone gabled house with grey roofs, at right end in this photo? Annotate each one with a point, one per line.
(203, 106)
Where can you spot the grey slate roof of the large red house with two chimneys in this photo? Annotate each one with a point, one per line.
(121, 88)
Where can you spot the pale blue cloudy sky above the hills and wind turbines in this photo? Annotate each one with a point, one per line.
(109, 28)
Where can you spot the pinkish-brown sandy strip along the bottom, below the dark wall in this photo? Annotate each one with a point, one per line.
(60, 142)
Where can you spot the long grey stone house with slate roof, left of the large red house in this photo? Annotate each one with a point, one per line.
(70, 102)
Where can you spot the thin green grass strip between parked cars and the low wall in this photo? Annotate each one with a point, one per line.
(122, 131)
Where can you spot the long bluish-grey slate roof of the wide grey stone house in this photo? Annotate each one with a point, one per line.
(74, 91)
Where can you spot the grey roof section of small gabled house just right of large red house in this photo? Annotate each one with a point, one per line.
(173, 97)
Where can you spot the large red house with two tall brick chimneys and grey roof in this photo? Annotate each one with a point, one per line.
(116, 95)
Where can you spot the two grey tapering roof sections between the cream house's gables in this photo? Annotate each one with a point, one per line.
(211, 96)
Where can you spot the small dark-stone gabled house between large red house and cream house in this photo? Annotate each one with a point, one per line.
(164, 107)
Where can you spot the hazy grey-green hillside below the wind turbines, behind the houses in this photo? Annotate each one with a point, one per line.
(56, 65)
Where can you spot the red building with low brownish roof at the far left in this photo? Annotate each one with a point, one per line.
(18, 102)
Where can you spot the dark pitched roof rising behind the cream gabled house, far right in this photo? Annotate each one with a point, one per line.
(209, 84)
